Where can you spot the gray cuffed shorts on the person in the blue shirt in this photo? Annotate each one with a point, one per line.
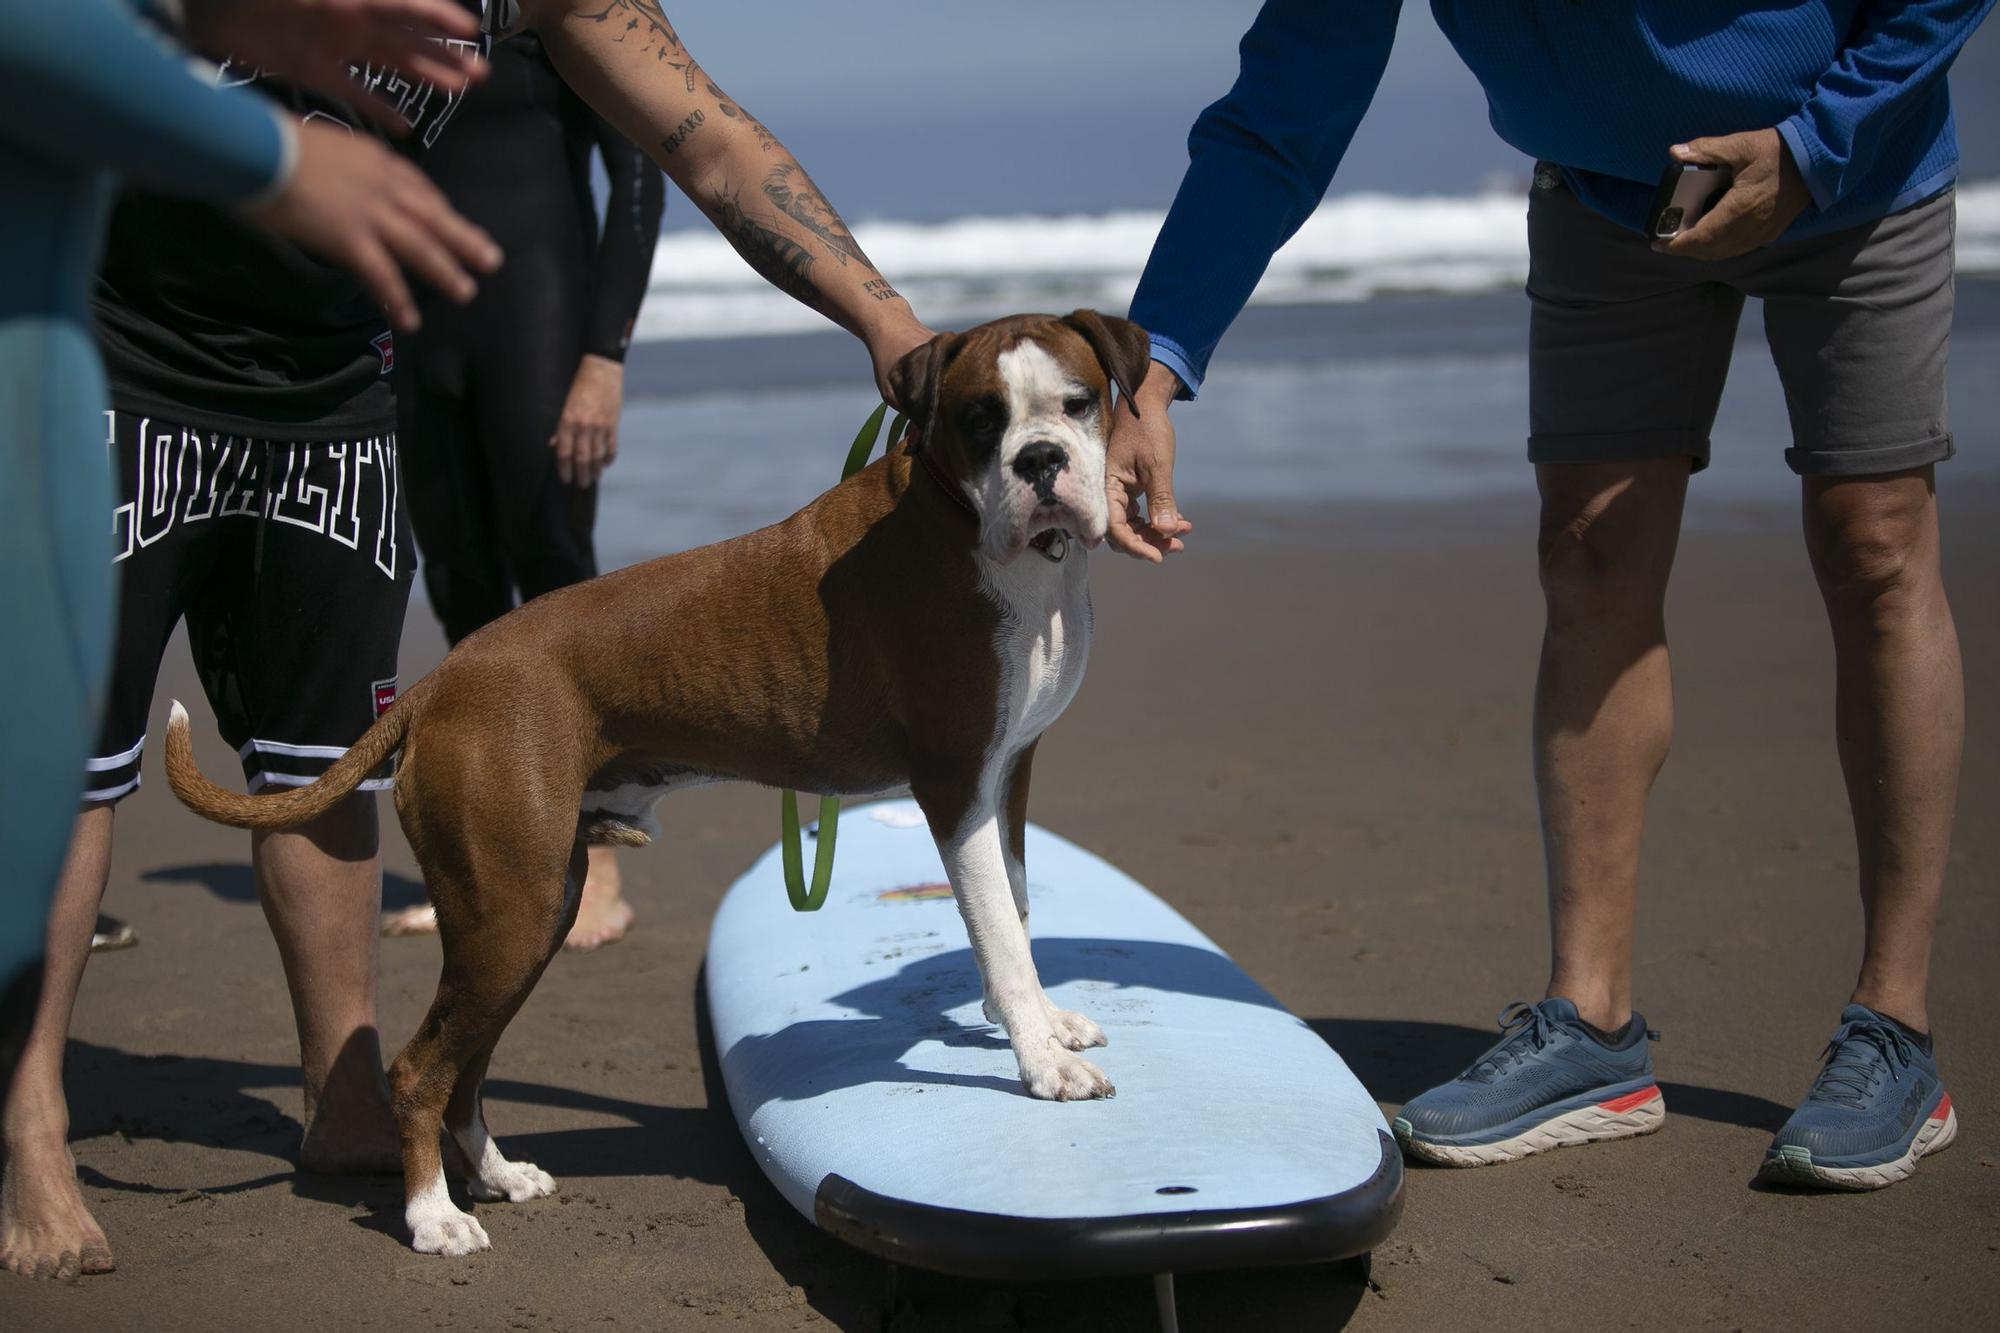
(1629, 349)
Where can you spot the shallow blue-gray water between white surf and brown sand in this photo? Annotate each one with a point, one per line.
(1407, 405)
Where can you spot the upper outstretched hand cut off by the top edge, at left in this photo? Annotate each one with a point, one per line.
(313, 43)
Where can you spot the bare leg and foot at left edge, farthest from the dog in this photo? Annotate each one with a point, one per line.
(45, 1228)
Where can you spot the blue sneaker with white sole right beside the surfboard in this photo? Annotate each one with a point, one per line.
(1547, 1084)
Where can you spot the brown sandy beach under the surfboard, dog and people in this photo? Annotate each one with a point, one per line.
(1311, 738)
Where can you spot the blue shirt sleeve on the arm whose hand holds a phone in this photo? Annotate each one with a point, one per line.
(1891, 65)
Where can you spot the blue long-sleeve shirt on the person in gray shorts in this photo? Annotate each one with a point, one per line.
(1855, 89)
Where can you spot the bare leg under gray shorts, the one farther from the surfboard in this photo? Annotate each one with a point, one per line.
(1901, 712)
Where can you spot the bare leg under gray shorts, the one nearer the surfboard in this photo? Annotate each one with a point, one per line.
(1603, 710)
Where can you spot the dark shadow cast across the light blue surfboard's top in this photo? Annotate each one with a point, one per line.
(913, 1006)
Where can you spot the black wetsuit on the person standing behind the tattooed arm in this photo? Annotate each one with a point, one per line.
(481, 387)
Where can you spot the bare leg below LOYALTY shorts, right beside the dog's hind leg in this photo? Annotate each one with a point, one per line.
(321, 888)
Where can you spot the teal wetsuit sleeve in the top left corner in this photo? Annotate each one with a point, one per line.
(85, 83)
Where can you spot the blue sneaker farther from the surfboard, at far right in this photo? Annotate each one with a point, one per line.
(1873, 1112)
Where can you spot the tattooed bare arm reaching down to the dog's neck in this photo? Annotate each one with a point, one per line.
(629, 63)
